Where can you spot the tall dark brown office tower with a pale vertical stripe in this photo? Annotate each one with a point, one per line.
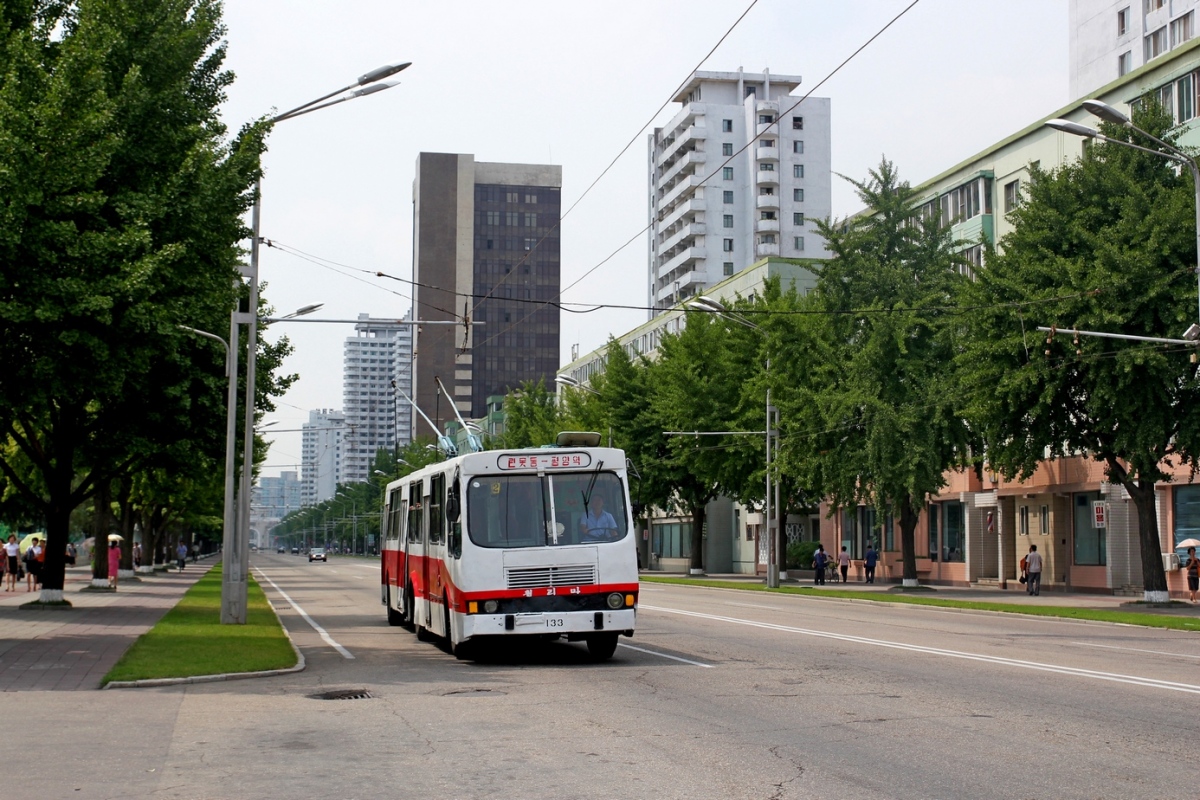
(485, 248)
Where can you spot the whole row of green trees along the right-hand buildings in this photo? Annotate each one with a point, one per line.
(908, 360)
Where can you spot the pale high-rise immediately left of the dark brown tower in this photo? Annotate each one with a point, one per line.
(379, 360)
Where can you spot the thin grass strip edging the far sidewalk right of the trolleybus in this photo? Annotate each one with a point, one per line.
(1168, 621)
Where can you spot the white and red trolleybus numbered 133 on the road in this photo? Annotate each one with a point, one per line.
(521, 543)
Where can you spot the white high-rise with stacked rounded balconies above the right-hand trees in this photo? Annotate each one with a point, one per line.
(739, 176)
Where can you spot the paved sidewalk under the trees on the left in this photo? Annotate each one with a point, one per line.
(74, 649)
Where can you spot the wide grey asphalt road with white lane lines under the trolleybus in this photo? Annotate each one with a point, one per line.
(721, 695)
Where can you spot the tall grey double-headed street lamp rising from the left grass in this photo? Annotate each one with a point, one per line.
(233, 590)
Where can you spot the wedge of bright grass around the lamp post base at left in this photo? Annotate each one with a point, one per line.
(191, 641)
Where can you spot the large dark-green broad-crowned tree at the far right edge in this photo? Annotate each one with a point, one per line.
(1103, 244)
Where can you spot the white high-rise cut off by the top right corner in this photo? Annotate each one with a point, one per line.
(1113, 38)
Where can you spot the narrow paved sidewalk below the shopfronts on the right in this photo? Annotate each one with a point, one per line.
(1016, 593)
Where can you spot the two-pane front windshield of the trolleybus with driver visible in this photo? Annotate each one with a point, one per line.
(557, 510)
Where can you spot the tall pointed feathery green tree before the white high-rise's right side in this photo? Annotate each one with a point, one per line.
(874, 417)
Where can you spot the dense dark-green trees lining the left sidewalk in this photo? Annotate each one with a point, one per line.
(122, 204)
